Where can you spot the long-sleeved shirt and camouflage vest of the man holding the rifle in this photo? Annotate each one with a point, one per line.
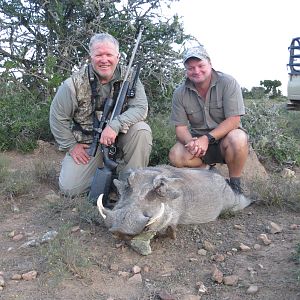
(72, 106)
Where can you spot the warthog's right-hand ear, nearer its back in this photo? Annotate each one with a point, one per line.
(164, 186)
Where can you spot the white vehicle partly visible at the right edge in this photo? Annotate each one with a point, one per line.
(293, 89)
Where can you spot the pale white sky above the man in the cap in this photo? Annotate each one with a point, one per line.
(247, 39)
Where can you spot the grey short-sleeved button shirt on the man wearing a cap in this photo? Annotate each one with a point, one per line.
(223, 99)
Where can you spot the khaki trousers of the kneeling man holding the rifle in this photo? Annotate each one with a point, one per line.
(135, 148)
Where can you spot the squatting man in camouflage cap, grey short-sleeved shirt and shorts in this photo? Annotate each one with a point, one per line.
(206, 111)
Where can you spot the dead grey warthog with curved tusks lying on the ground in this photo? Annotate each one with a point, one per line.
(156, 198)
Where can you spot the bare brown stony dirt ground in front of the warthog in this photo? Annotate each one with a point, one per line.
(103, 267)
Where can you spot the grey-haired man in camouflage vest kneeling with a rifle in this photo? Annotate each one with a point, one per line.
(72, 115)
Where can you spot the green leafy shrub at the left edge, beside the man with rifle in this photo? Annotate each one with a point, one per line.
(24, 120)
